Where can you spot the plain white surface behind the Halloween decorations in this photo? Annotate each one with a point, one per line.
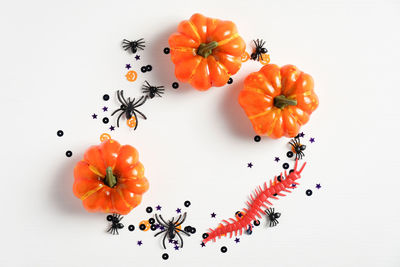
(58, 58)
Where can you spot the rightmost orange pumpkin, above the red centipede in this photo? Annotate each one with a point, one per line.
(278, 100)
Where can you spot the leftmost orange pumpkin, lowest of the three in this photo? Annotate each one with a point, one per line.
(110, 178)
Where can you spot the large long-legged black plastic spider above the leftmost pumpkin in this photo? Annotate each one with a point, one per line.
(129, 107)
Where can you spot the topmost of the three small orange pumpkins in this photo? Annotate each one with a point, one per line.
(206, 51)
